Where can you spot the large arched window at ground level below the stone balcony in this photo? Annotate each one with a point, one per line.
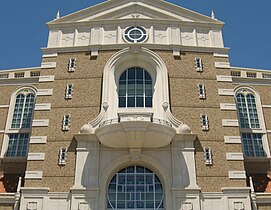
(135, 187)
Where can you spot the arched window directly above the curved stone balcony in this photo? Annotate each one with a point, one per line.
(135, 88)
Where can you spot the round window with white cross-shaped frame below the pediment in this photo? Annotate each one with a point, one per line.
(135, 34)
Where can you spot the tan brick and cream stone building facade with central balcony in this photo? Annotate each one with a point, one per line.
(135, 106)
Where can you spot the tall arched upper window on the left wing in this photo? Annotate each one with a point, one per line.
(23, 110)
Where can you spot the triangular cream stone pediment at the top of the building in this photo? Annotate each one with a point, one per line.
(129, 9)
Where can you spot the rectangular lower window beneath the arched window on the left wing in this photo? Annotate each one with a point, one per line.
(17, 145)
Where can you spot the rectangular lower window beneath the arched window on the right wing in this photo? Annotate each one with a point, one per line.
(252, 144)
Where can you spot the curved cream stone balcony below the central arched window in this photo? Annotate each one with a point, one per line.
(135, 130)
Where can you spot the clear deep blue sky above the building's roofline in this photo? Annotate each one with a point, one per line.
(23, 30)
